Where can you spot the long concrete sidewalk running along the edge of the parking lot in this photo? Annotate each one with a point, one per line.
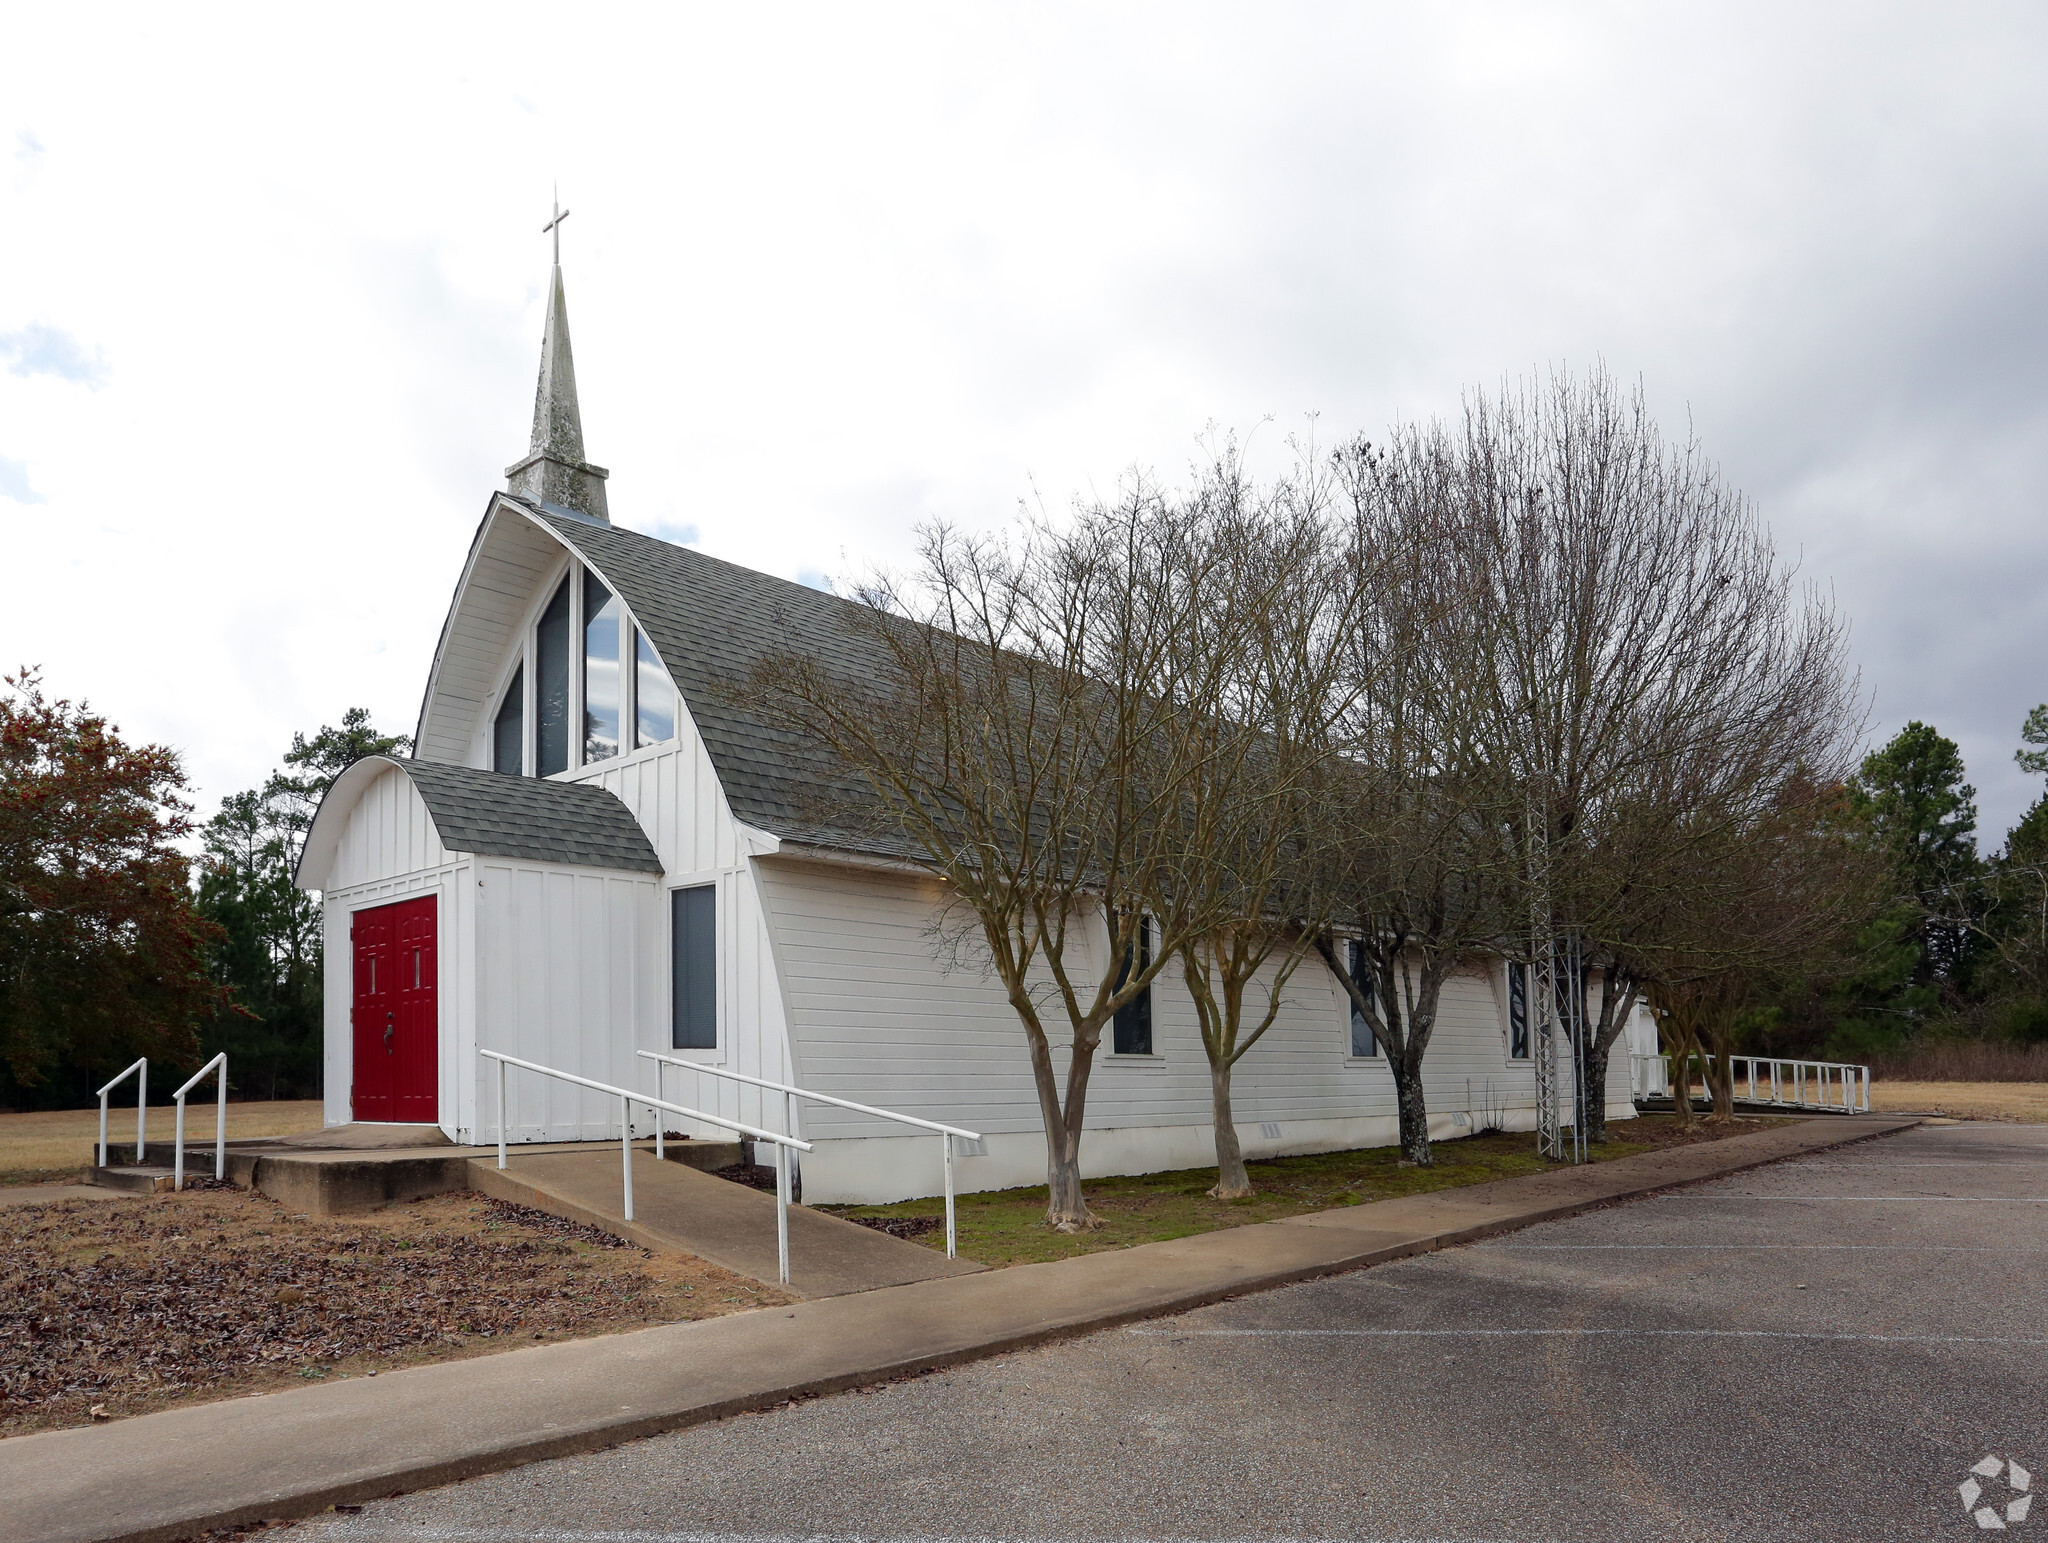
(175, 1474)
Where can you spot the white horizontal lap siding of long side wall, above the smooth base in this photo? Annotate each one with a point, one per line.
(878, 1017)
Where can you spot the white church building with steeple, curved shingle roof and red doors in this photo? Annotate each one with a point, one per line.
(601, 849)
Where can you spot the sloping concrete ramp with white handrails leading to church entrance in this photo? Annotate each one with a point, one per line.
(681, 1210)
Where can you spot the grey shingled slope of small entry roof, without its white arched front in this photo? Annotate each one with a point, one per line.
(495, 815)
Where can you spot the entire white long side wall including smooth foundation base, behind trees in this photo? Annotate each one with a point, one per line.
(878, 1017)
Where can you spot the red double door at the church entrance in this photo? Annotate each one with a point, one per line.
(396, 1017)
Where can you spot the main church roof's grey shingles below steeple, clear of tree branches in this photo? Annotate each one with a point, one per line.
(714, 624)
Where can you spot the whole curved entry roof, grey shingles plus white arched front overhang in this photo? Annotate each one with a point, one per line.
(493, 815)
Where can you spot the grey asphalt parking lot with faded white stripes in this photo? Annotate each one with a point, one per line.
(1811, 1351)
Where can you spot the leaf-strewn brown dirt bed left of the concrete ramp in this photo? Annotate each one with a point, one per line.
(130, 1306)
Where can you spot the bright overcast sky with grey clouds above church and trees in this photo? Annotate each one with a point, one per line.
(271, 296)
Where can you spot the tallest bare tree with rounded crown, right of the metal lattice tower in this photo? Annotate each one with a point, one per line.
(1650, 665)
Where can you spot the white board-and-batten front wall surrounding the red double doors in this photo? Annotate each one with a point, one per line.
(390, 851)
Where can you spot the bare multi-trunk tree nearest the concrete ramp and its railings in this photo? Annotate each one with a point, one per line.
(1011, 720)
